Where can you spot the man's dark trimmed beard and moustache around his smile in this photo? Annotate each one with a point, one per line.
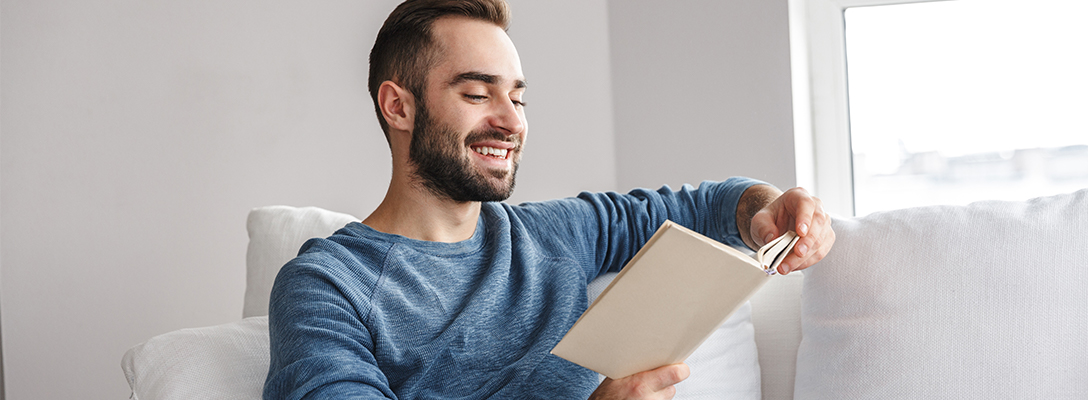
(443, 168)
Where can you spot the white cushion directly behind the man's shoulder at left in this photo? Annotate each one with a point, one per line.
(276, 235)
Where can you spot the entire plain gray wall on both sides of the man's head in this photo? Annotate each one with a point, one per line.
(137, 135)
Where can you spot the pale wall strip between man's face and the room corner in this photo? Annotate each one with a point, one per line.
(564, 49)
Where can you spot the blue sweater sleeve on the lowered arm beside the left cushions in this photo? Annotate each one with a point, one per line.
(320, 346)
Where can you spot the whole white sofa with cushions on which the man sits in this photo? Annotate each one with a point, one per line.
(988, 301)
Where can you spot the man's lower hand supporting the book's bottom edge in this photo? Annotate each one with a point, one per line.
(657, 384)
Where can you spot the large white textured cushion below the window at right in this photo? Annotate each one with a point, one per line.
(983, 302)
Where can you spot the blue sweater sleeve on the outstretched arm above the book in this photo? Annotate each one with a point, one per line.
(619, 226)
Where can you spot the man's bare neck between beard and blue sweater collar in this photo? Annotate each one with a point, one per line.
(415, 212)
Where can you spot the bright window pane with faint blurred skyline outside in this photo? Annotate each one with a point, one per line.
(958, 102)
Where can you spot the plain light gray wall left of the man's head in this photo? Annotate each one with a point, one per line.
(137, 135)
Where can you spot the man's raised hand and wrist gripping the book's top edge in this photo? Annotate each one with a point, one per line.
(764, 214)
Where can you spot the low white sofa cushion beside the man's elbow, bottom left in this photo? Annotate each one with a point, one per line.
(226, 361)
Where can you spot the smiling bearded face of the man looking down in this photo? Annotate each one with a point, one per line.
(471, 130)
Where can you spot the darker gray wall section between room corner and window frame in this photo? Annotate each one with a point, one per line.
(702, 92)
